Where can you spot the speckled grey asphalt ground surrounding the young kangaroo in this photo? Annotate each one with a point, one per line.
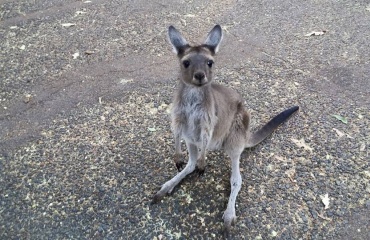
(85, 141)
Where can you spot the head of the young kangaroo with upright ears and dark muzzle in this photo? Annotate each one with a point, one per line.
(196, 62)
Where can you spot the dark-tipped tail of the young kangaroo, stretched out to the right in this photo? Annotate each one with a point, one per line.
(273, 124)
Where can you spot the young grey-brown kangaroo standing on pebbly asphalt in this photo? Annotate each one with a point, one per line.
(210, 116)
